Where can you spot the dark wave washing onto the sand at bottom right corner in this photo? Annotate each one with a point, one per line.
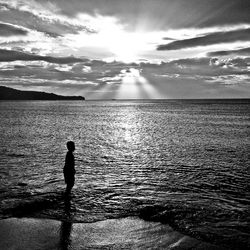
(213, 226)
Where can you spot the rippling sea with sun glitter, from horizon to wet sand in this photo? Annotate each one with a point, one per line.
(179, 162)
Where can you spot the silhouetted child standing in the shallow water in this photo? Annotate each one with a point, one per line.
(69, 167)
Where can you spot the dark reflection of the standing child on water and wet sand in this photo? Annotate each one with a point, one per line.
(66, 226)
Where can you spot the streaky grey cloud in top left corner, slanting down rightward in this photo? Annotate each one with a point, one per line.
(41, 17)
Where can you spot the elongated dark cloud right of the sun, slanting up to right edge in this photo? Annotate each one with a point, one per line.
(210, 39)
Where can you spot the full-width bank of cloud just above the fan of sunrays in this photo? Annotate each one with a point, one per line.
(18, 63)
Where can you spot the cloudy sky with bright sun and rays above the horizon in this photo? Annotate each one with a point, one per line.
(127, 49)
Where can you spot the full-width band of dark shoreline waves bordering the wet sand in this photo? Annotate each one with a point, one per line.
(212, 225)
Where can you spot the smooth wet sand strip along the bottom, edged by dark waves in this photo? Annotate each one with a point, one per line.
(125, 233)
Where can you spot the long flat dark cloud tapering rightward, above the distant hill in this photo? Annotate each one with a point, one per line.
(11, 55)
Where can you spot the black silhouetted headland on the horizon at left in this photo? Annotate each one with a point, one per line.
(14, 94)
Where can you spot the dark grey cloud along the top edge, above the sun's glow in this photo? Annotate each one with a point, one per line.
(165, 14)
